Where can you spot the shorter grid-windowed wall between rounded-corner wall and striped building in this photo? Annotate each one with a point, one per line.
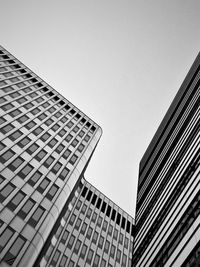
(93, 232)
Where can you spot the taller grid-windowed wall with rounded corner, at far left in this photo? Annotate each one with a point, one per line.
(45, 143)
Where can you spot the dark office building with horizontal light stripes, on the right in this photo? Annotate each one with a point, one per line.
(168, 200)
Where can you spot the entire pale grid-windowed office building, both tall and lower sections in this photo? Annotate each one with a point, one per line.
(45, 146)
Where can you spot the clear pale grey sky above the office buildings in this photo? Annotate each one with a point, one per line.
(121, 62)
